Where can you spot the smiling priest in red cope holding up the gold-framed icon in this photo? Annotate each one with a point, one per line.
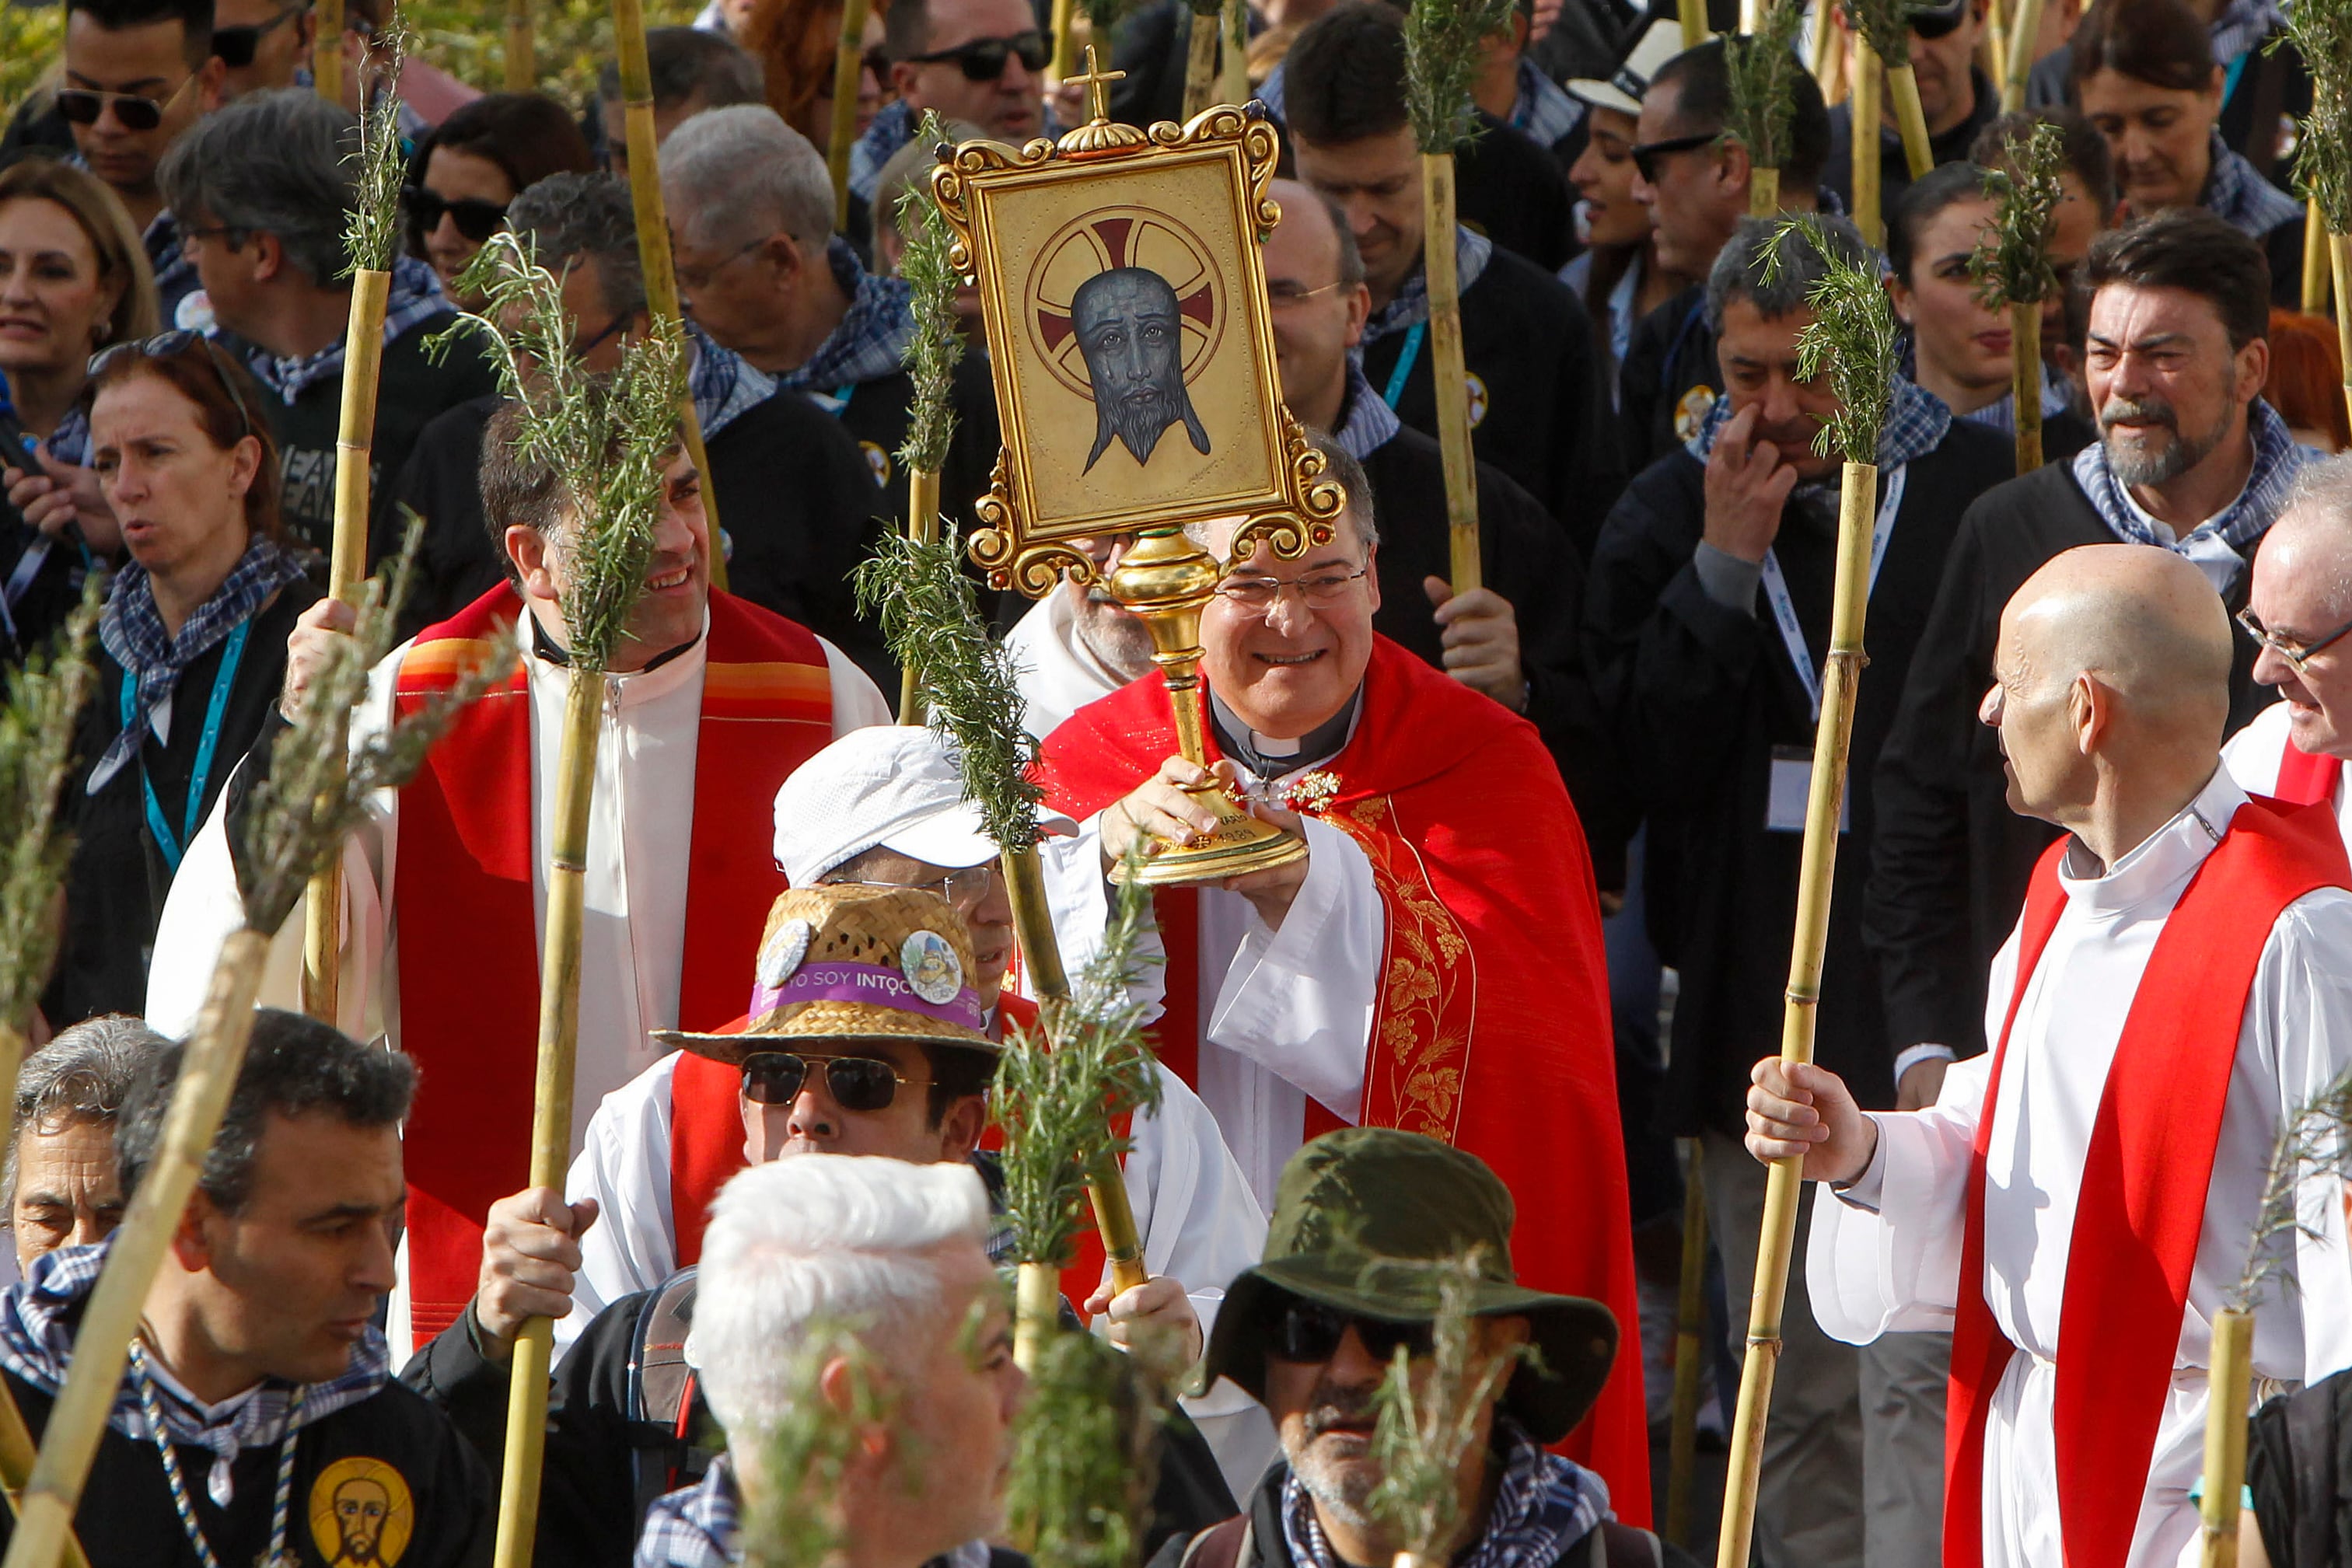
(1436, 960)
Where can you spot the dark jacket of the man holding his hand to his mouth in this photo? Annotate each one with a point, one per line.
(1704, 699)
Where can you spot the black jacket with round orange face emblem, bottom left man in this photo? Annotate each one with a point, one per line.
(394, 1440)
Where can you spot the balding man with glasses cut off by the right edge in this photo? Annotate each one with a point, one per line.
(2299, 615)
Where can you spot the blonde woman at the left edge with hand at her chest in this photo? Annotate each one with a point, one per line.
(74, 281)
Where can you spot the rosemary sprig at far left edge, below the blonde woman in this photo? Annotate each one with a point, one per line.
(36, 751)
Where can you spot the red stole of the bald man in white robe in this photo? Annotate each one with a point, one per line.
(2144, 1184)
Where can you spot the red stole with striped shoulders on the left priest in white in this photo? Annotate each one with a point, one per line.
(469, 956)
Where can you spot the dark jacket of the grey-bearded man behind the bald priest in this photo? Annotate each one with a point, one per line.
(1951, 859)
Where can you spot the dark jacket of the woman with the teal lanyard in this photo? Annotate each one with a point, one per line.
(119, 876)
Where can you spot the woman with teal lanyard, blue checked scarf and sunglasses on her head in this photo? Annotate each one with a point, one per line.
(192, 648)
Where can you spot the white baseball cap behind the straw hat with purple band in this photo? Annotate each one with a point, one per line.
(888, 786)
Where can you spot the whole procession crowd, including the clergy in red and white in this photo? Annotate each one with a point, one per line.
(2090, 930)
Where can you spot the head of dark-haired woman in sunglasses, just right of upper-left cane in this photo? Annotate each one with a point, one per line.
(476, 163)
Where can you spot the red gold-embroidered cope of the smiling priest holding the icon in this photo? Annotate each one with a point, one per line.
(1492, 1014)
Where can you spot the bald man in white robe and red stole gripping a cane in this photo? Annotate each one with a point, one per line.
(2078, 1202)
